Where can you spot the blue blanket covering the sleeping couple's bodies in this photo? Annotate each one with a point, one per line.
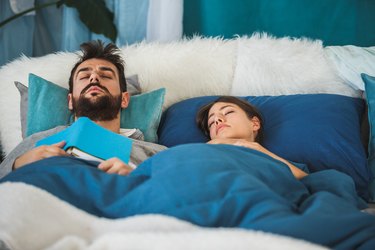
(215, 186)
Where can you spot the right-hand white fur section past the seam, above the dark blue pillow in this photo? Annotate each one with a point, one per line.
(271, 66)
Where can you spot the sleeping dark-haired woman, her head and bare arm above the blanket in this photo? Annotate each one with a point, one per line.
(230, 120)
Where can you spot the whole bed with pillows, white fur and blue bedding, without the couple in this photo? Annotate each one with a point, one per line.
(318, 106)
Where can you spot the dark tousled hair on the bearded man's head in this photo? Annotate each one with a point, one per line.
(110, 53)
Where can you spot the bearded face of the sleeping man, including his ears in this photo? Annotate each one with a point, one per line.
(96, 91)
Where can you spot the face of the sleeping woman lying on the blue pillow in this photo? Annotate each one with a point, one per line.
(227, 120)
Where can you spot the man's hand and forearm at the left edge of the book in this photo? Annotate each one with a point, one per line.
(39, 153)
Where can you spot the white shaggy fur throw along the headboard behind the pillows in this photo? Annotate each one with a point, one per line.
(187, 68)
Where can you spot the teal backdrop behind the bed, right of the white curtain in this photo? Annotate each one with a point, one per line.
(336, 22)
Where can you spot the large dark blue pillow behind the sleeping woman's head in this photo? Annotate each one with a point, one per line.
(320, 130)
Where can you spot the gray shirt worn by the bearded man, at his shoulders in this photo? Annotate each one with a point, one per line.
(141, 150)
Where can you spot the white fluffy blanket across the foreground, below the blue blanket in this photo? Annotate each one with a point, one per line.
(31, 218)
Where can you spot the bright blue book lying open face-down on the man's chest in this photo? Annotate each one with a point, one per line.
(85, 139)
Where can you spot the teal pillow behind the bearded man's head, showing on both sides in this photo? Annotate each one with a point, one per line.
(48, 108)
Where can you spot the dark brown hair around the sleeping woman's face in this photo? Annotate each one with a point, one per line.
(250, 110)
